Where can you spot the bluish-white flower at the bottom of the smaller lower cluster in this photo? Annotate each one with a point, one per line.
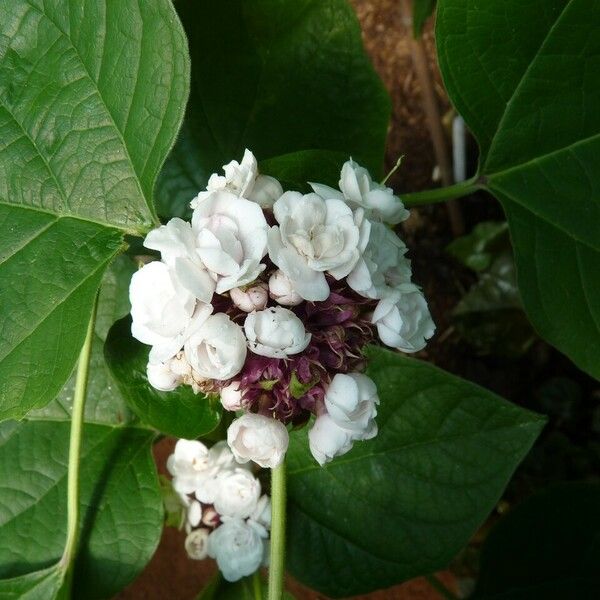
(237, 548)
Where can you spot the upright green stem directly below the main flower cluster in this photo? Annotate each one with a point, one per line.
(277, 558)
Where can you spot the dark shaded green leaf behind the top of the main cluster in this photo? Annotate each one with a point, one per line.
(282, 77)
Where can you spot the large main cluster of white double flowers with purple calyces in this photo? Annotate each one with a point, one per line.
(268, 298)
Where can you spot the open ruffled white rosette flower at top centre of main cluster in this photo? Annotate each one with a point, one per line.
(314, 237)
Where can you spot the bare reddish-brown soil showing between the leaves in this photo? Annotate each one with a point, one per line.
(171, 575)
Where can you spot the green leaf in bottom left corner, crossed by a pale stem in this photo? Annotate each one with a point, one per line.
(121, 509)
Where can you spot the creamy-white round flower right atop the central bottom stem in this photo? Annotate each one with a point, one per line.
(261, 439)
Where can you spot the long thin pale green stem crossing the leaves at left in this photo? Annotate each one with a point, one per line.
(83, 364)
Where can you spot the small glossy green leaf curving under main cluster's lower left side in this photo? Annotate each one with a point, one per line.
(180, 413)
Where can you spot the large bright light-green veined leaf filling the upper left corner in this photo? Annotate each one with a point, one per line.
(89, 108)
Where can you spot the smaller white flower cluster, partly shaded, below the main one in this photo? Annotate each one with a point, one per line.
(226, 517)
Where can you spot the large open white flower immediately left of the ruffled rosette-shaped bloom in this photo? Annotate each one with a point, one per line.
(231, 239)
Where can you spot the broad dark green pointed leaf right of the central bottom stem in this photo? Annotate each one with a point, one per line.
(444, 453)
